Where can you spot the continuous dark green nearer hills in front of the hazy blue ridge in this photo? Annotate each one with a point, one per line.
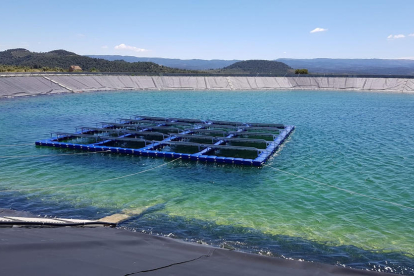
(22, 60)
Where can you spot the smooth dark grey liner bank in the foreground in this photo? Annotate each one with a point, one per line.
(106, 251)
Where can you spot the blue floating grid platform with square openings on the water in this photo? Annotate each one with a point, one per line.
(190, 139)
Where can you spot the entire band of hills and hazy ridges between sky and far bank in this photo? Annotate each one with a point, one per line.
(60, 60)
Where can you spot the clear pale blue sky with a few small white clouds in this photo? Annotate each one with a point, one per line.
(214, 29)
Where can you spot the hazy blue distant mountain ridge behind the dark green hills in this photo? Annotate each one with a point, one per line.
(318, 65)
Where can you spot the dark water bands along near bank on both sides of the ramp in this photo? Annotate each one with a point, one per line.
(153, 221)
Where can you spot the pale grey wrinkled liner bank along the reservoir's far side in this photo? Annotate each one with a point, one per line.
(11, 86)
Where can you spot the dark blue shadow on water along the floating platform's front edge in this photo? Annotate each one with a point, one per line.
(187, 172)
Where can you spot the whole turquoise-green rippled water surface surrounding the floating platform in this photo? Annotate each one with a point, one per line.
(360, 142)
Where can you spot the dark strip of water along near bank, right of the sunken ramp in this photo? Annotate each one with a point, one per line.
(254, 241)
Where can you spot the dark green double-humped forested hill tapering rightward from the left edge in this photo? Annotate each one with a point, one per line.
(61, 60)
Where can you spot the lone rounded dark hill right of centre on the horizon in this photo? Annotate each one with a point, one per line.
(263, 67)
